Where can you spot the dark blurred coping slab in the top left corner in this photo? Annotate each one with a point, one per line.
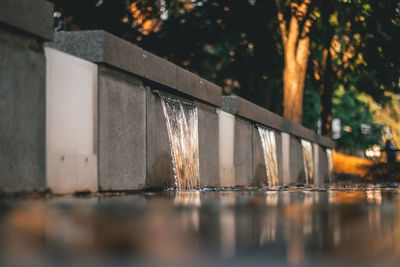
(31, 16)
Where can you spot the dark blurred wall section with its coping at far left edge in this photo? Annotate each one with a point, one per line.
(24, 26)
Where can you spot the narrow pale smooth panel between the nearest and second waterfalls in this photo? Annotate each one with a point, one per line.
(226, 148)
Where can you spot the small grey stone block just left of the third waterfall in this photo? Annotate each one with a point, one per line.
(296, 161)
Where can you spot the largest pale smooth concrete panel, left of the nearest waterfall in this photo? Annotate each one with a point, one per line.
(71, 124)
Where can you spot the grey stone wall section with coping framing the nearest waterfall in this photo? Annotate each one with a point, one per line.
(134, 150)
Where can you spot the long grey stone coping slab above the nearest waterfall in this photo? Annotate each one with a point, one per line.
(100, 46)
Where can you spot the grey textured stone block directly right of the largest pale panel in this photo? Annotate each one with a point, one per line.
(122, 132)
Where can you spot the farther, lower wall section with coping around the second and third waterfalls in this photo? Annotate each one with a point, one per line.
(288, 136)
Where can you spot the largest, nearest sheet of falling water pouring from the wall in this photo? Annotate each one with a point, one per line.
(181, 119)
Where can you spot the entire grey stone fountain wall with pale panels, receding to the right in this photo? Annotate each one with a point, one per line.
(119, 139)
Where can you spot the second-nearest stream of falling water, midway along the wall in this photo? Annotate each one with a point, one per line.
(269, 149)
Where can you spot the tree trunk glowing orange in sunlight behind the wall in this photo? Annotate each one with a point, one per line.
(295, 29)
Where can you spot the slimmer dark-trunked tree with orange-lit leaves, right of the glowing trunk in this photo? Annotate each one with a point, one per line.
(356, 46)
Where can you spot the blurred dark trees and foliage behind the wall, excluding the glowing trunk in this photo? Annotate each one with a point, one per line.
(352, 78)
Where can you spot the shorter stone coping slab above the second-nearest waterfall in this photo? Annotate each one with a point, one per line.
(239, 106)
